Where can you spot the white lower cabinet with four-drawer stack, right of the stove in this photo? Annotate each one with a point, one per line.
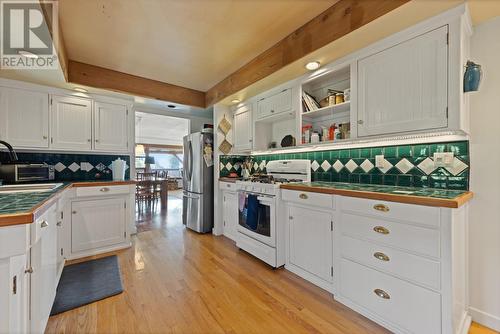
(401, 265)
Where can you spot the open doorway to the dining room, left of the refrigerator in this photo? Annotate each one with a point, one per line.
(159, 168)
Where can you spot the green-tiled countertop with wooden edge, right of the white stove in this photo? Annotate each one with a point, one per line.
(427, 197)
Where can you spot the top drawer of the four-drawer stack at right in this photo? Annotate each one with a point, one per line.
(424, 215)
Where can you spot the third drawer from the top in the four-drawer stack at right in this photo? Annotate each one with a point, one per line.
(389, 260)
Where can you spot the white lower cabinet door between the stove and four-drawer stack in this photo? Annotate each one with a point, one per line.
(311, 241)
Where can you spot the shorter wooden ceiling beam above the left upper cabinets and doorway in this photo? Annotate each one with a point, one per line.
(99, 77)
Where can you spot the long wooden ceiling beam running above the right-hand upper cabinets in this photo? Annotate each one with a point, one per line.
(340, 19)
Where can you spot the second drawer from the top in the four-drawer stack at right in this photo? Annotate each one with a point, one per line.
(408, 237)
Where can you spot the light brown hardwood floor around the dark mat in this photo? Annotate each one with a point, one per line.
(178, 281)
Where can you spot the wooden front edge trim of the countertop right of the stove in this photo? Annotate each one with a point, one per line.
(408, 199)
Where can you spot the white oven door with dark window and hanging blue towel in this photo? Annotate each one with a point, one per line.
(257, 217)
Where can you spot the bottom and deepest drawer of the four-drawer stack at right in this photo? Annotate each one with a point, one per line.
(414, 309)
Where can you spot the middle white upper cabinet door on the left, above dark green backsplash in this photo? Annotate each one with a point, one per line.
(71, 124)
